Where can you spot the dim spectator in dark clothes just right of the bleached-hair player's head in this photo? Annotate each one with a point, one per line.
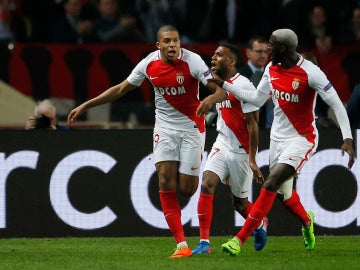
(319, 31)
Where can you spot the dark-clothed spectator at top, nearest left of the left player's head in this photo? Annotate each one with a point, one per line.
(112, 25)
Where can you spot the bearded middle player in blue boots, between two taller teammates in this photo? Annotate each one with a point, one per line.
(232, 158)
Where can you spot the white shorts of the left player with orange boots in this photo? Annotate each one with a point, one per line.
(186, 147)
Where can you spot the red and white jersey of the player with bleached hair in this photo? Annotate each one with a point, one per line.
(294, 93)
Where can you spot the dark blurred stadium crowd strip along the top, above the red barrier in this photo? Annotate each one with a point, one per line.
(198, 21)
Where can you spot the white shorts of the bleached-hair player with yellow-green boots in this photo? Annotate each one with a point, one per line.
(294, 152)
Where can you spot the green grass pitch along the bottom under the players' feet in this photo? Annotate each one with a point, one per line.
(331, 252)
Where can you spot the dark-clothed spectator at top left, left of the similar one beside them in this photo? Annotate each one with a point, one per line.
(72, 27)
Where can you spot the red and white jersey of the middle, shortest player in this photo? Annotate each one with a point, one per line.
(231, 123)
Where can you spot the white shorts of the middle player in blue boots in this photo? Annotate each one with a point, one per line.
(225, 162)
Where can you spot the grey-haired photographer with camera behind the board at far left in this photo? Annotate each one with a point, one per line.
(44, 117)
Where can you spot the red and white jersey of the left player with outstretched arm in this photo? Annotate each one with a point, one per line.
(176, 88)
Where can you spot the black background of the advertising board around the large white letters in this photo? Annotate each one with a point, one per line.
(29, 212)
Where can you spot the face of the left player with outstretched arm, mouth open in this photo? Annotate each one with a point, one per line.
(169, 45)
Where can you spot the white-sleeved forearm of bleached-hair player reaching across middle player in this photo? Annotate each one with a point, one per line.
(256, 98)
